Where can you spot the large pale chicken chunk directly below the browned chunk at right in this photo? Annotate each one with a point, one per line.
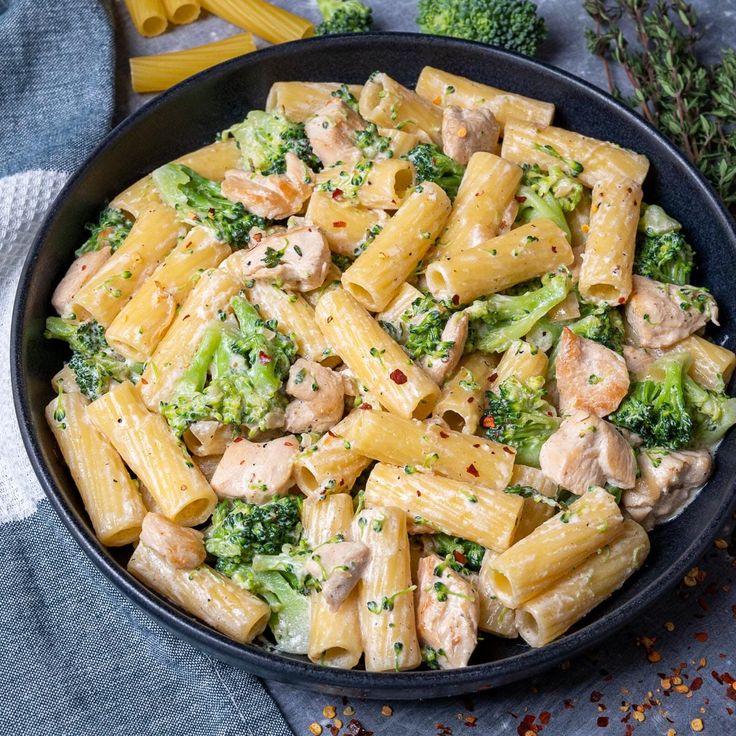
(588, 451)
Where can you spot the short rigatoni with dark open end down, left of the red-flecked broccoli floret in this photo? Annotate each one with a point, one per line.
(463, 396)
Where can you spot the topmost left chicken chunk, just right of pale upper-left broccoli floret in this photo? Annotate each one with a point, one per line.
(331, 132)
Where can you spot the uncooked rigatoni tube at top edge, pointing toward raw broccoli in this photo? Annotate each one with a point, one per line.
(270, 22)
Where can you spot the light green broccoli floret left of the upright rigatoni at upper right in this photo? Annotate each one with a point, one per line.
(547, 194)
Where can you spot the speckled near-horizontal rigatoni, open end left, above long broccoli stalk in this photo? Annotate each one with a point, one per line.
(519, 255)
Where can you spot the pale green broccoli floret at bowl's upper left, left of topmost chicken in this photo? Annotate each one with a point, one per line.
(264, 139)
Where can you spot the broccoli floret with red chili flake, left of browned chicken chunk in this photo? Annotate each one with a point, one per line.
(518, 415)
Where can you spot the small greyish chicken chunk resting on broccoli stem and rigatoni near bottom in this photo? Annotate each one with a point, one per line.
(338, 567)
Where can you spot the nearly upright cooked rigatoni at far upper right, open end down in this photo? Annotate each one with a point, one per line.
(608, 260)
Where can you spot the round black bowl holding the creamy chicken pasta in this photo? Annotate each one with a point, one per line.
(189, 116)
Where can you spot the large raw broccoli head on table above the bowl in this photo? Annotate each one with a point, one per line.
(510, 24)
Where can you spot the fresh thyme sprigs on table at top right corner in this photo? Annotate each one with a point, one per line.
(654, 45)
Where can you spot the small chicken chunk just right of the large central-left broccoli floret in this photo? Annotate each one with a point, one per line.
(319, 395)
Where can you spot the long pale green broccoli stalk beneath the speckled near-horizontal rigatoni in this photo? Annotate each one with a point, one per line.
(498, 320)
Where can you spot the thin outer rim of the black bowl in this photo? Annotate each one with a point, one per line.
(257, 659)
